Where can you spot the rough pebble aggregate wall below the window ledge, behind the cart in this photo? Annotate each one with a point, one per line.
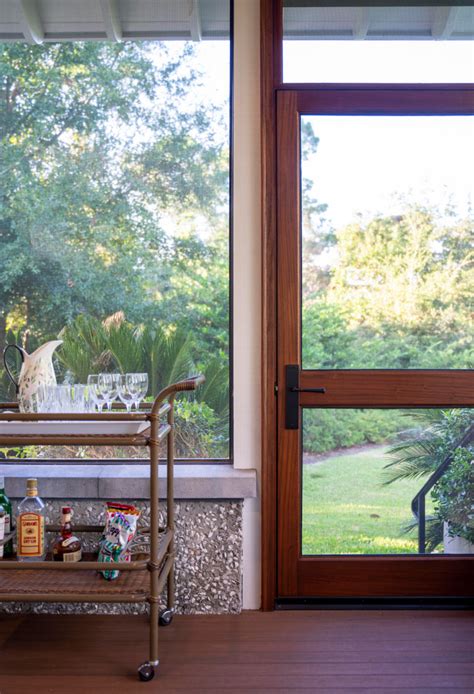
(208, 559)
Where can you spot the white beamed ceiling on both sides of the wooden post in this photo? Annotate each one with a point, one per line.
(36, 21)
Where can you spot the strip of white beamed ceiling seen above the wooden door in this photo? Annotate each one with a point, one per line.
(397, 22)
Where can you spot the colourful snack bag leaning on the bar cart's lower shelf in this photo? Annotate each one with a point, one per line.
(120, 528)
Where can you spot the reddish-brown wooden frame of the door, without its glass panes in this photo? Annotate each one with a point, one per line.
(334, 576)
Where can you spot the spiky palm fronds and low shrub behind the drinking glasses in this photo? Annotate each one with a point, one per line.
(167, 355)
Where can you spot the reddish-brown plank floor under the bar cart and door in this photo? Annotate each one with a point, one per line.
(311, 651)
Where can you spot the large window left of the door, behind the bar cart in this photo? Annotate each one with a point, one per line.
(114, 213)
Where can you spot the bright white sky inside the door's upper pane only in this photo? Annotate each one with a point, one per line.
(373, 164)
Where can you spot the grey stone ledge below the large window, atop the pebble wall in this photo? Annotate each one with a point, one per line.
(129, 481)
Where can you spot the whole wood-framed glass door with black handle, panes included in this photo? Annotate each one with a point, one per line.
(376, 434)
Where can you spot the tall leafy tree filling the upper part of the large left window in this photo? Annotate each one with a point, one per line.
(96, 153)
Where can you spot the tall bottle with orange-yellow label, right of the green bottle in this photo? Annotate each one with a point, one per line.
(30, 525)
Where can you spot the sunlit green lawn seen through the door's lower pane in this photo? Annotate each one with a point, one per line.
(346, 510)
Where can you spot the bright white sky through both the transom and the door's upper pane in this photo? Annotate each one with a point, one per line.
(364, 164)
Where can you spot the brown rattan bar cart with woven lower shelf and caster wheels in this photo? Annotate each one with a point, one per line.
(142, 579)
